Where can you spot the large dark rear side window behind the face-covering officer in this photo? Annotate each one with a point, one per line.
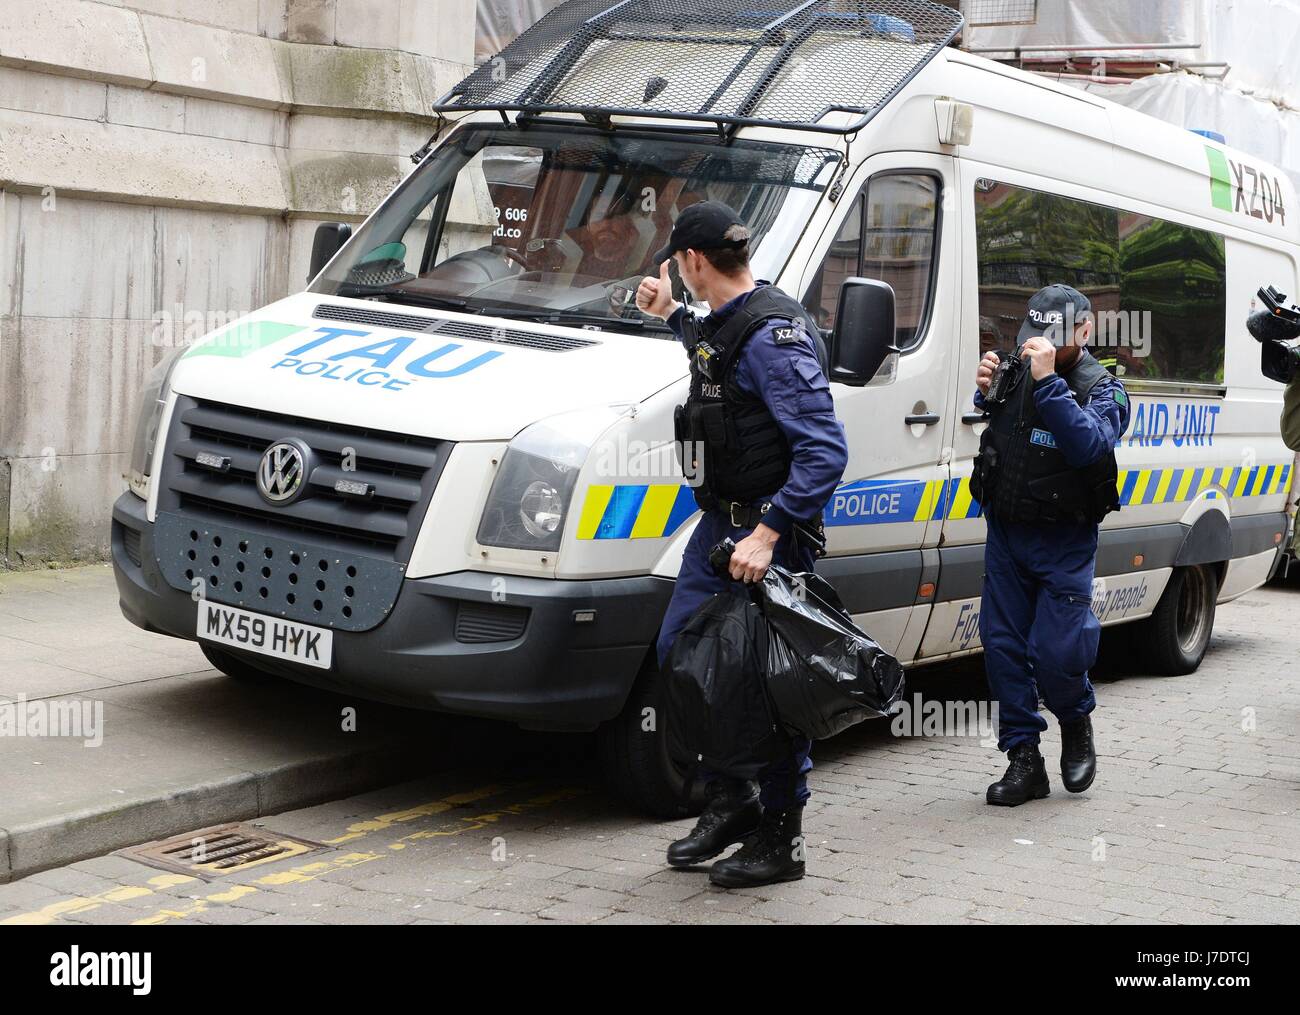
(1158, 289)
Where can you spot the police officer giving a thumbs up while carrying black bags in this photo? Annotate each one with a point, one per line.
(768, 452)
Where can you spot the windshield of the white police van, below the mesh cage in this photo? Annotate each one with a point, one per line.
(562, 224)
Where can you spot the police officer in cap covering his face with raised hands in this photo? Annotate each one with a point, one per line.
(1046, 478)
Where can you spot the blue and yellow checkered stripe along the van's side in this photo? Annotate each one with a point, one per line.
(658, 510)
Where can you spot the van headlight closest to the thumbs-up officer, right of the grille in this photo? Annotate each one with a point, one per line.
(531, 496)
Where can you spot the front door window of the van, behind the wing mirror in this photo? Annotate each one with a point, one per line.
(890, 235)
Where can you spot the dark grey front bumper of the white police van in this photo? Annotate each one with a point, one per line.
(543, 653)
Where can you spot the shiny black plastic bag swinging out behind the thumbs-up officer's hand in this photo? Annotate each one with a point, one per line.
(824, 673)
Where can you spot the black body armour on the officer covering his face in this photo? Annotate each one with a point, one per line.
(1021, 476)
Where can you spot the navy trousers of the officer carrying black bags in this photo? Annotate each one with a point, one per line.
(783, 784)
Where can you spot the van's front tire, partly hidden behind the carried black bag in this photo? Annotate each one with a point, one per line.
(636, 762)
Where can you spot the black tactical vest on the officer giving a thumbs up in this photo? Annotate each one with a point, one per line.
(730, 446)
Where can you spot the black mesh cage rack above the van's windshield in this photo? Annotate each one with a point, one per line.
(825, 66)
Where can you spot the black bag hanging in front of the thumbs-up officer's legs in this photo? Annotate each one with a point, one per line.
(718, 713)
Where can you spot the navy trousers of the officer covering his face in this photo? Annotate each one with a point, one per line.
(1037, 623)
